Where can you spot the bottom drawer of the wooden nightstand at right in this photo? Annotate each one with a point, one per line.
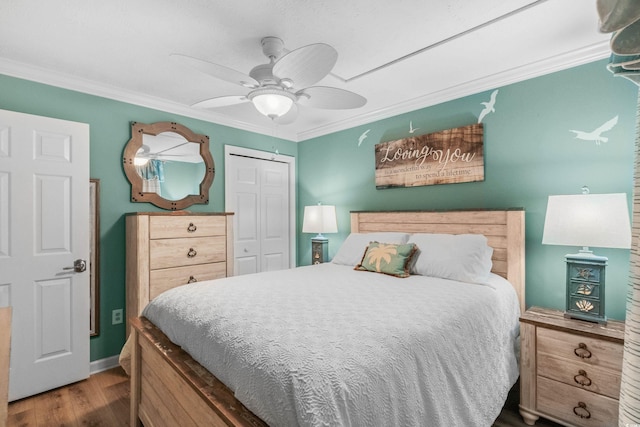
(568, 403)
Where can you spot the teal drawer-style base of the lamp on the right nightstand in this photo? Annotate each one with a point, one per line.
(585, 287)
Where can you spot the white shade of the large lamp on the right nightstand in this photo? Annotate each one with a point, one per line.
(598, 220)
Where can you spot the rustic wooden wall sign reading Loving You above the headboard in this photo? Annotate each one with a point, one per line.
(445, 157)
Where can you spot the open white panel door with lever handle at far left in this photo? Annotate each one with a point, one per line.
(44, 229)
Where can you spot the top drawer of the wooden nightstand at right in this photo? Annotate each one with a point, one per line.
(591, 351)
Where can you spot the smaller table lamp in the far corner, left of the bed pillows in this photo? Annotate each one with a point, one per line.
(319, 219)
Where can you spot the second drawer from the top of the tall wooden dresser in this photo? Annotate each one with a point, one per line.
(165, 253)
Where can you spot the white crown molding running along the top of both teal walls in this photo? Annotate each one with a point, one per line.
(535, 69)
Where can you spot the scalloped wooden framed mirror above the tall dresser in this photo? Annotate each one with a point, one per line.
(168, 165)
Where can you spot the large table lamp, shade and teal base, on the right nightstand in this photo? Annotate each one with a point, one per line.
(598, 220)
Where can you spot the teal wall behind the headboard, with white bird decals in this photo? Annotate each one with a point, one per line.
(529, 154)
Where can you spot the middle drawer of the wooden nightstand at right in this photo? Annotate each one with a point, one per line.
(579, 374)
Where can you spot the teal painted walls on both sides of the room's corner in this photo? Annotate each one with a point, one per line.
(529, 154)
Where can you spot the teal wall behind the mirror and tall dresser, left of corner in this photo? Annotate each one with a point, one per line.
(110, 130)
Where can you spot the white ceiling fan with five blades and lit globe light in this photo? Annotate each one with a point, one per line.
(278, 87)
